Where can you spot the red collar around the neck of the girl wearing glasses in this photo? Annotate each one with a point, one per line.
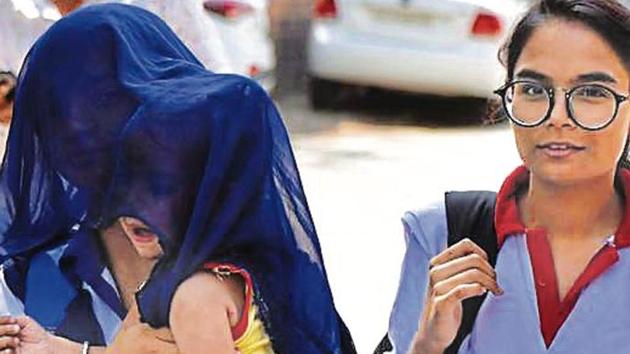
(508, 222)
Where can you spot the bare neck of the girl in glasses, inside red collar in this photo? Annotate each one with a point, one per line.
(588, 209)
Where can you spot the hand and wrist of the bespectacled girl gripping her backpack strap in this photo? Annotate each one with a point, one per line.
(460, 272)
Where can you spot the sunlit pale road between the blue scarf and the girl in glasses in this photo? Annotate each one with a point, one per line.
(365, 164)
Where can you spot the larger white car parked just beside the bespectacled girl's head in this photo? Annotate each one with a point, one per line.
(442, 47)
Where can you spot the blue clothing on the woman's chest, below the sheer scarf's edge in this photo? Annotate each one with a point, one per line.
(66, 287)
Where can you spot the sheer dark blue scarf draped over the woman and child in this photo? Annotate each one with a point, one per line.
(114, 116)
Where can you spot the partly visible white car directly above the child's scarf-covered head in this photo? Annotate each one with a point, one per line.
(243, 26)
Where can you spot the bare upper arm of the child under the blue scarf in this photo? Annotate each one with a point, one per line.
(204, 309)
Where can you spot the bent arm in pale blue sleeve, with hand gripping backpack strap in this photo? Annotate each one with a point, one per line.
(434, 280)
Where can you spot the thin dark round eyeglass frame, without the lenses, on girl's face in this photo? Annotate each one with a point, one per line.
(551, 93)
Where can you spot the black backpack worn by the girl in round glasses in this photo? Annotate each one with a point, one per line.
(469, 215)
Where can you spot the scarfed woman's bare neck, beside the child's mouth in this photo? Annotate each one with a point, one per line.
(127, 267)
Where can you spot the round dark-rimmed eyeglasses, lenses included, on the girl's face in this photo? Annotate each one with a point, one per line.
(589, 106)
